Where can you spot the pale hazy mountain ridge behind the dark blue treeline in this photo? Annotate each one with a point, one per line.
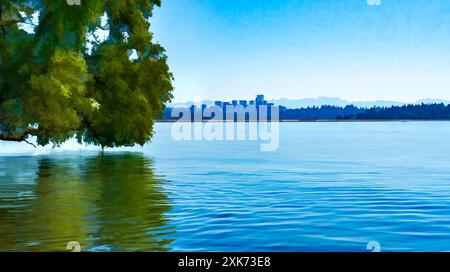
(320, 101)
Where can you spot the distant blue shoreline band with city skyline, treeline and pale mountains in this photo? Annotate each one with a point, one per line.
(260, 109)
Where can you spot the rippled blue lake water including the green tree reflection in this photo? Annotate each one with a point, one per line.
(328, 187)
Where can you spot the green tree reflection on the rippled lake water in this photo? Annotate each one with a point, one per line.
(106, 202)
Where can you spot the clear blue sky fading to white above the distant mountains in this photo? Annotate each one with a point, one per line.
(221, 49)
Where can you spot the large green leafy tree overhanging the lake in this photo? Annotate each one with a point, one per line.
(60, 78)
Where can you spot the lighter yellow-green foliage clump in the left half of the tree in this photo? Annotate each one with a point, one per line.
(58, 96)
